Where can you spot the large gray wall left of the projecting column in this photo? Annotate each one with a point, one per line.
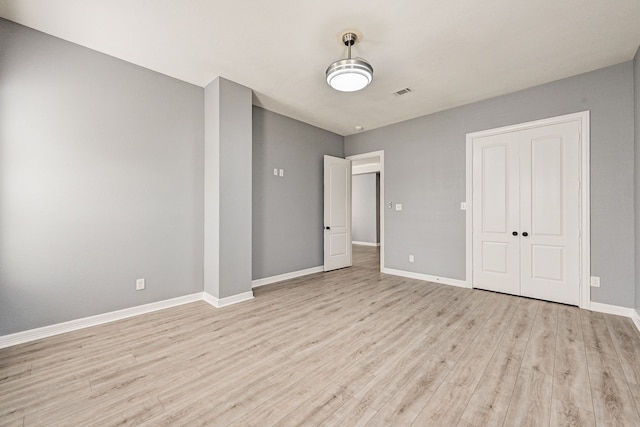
(101, 182)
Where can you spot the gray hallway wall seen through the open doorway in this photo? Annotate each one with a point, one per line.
(365, 206)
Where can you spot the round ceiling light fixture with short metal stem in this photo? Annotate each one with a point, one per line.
(349, 75)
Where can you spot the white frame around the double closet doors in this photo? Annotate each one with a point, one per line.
(584, 142)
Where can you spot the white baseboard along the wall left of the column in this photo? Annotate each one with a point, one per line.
(74, 325)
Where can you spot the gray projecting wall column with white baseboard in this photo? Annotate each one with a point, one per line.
(227, 192)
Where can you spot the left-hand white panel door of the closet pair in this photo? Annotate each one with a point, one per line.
(495, 205)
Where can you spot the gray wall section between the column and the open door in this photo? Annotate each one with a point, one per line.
(287, 211)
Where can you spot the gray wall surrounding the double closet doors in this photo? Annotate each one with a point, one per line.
(425, 171)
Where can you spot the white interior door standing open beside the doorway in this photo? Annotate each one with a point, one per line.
(337, 213)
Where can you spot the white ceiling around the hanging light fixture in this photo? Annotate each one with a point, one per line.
(450, 52)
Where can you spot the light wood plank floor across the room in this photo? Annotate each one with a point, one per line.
(352, 347)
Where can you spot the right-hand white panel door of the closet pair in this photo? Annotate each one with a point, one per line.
(549, 213)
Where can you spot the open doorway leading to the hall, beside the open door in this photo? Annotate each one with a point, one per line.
(368, 206)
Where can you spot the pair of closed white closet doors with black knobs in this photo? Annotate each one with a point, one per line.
(526, 212)
